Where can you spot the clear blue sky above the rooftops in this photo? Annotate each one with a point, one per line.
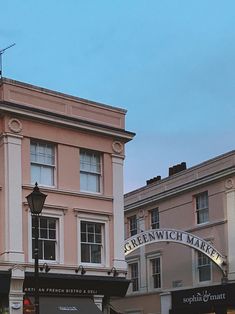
(170, 63)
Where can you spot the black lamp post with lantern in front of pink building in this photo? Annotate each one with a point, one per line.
(36, 201)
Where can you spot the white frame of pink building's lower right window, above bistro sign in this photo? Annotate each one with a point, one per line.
(95, 218)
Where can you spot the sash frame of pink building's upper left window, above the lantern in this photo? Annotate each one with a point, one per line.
(52, 166)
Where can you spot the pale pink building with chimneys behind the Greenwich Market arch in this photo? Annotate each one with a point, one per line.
(180, 241)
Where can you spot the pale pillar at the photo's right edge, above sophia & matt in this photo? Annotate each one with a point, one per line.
(231, 233)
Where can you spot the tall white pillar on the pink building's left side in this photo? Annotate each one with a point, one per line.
(13, 198)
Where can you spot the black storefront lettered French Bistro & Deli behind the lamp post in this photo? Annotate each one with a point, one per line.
(62, 293)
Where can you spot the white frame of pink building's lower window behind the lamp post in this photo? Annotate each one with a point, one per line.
(50, 213)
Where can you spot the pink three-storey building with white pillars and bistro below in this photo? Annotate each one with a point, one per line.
(74, 149)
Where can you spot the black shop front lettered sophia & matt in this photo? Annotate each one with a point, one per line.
(218, 299)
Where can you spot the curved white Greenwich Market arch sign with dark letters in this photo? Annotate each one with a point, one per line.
(172, 235)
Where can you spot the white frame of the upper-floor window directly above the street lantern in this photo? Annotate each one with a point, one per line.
(53, 167)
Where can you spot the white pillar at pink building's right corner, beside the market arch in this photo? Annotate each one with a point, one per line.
(118, 213)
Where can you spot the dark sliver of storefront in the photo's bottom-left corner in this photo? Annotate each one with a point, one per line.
(4, 291)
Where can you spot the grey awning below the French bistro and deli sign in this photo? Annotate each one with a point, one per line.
(68, 306)
